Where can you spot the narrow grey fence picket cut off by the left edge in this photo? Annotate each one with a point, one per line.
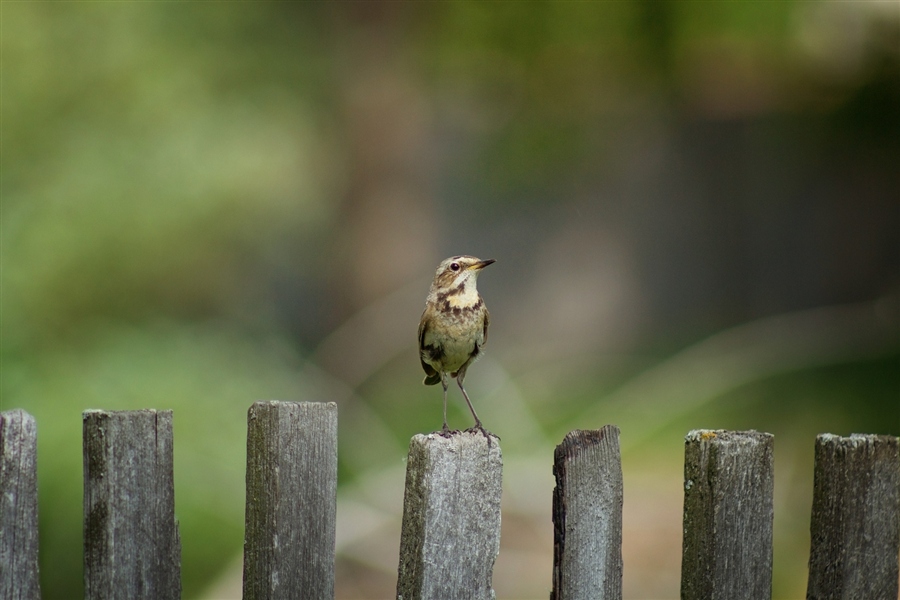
(18, 507)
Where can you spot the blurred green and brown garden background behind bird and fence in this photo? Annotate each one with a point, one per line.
(694, 207)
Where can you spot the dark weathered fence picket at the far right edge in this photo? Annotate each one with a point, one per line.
(855, 525)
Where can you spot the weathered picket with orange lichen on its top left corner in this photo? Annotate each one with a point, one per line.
(728, 485)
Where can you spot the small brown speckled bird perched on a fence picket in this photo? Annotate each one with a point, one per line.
(454, 328)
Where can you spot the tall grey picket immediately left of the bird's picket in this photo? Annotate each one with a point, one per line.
(291, 500)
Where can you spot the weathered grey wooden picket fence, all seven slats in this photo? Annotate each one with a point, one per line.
(451, 513)
